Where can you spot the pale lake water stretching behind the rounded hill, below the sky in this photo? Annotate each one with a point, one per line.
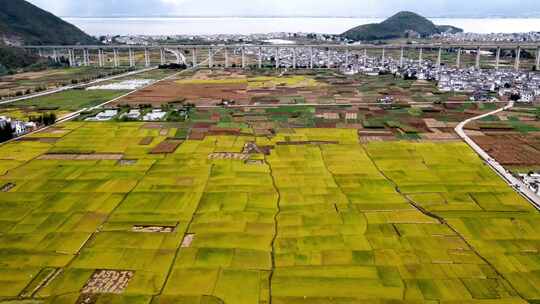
(241, 25)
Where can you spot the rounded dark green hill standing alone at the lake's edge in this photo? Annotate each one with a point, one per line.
(400, 25)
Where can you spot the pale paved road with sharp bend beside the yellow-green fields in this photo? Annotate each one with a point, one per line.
(517, 184)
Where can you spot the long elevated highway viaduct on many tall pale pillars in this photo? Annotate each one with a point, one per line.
(115, 55)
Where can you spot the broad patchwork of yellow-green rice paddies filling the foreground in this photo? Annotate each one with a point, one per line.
(94, 213)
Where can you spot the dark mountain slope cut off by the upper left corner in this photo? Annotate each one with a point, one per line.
(23, 23)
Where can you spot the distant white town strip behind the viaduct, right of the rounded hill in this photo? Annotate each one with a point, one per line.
(530, 37)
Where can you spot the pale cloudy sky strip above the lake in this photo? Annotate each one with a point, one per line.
(352, 8)
